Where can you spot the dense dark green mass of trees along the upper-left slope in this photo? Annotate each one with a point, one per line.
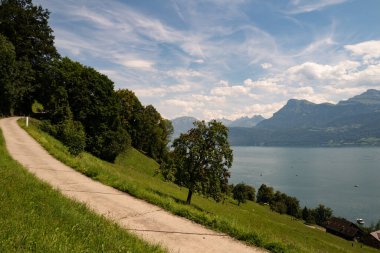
(79, 104)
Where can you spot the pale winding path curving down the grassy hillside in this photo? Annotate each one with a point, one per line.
(150, 222)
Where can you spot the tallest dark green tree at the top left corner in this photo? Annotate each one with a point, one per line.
(26, 27)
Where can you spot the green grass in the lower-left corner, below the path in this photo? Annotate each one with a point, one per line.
(36, 218)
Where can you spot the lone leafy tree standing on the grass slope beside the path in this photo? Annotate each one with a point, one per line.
(202, 159)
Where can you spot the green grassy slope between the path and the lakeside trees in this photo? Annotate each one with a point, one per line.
(250, 222)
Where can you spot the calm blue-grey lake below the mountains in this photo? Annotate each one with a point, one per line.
(316, 176)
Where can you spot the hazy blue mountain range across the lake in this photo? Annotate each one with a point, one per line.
(352, 122)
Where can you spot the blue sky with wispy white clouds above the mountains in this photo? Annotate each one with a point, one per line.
(215, 59)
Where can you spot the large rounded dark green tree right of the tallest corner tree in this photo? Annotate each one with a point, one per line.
(91, 99)
